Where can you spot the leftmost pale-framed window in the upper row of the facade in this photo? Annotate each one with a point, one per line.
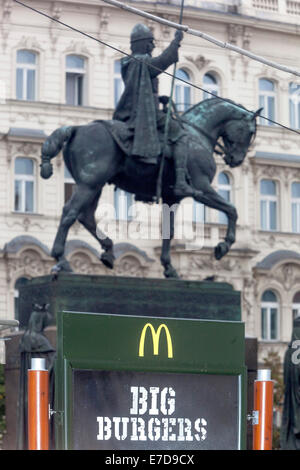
(26, 72)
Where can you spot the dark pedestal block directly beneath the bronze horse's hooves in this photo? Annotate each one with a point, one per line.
(131, 296)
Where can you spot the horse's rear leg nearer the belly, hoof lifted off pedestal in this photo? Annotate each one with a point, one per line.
(87, 219)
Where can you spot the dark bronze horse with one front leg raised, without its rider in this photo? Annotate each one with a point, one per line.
(94, 158)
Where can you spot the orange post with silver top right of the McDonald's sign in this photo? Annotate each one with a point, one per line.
(263, 411)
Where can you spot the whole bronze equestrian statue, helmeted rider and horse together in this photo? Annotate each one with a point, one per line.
(127, 150)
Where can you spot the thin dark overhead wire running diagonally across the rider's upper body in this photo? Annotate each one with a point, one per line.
(120, 51)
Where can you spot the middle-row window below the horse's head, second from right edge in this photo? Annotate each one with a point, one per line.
(268, 205)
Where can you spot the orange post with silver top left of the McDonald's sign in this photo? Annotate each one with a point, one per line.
(38, 405)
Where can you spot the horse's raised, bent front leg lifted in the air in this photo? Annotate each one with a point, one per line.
(212, 199)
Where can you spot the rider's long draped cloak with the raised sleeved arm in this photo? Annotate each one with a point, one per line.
(138, 105)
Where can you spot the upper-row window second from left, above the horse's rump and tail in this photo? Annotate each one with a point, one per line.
(75, 80)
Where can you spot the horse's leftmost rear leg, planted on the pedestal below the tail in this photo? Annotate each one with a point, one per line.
(82, 197)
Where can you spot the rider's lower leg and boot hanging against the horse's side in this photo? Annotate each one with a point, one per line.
(182, 188)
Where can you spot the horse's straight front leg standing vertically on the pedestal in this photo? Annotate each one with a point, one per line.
(168, 216)
